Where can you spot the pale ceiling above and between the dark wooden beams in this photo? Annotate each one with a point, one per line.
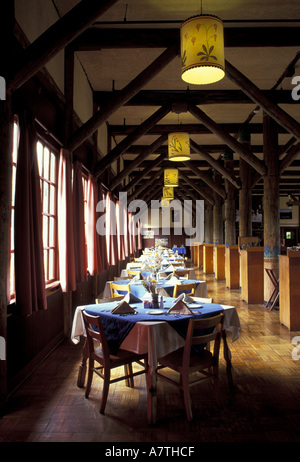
(261, 40)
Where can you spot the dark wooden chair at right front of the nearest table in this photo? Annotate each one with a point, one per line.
(186, 361)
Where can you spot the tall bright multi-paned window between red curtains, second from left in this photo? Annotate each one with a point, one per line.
(47, 163)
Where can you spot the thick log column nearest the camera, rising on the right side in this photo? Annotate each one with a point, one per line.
(271, 203)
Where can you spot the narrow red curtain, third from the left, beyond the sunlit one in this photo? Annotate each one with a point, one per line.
(80, 251)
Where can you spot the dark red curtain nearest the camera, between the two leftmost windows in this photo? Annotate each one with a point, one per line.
(29, 262)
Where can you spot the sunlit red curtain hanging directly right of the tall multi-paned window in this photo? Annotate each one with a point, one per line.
(65, 223)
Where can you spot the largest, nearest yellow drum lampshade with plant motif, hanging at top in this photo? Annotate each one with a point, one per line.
(202, 49)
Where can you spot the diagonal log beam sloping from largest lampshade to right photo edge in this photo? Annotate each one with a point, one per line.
(274, 111)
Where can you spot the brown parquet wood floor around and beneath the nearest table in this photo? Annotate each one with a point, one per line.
(265, 406)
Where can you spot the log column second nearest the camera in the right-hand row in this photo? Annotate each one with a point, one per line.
(245, 195)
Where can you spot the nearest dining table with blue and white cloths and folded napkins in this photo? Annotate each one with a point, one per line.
(155, 332)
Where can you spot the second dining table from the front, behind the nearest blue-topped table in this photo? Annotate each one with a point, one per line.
(164, 287)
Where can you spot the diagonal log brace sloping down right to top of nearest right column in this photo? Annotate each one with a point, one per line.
(229, 140)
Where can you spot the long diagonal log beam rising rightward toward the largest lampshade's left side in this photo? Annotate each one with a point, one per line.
(120, 98)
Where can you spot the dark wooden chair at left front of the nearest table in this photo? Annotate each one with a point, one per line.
(100, 354)
